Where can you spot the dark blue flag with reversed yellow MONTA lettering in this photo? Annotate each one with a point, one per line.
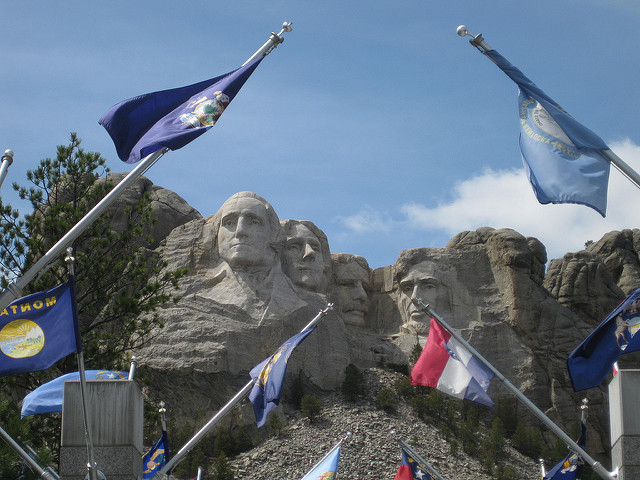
(38, 330)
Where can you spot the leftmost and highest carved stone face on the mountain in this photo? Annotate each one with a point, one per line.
(243, 237)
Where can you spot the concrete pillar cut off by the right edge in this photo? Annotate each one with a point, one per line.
(624, 413)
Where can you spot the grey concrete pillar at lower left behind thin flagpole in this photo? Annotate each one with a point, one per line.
(116, 409)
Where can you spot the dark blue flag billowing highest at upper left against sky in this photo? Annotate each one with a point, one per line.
(171, 118)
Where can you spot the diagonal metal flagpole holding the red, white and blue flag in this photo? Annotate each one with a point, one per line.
(595, 465)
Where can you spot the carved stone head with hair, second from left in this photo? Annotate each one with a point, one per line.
(306, 258)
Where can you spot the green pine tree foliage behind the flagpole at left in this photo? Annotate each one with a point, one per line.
(120, 281)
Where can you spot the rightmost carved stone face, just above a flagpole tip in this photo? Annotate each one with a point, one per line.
(419, 282)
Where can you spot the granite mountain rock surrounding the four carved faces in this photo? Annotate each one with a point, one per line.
(489, 284)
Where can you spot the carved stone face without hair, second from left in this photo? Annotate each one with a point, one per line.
(303, 261)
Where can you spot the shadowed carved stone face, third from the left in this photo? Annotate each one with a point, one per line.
(352, 282)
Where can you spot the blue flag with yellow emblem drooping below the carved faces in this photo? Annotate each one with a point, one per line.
(269, 377)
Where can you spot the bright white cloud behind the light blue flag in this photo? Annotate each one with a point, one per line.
(505, 199)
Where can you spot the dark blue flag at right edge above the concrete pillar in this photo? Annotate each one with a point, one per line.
(590, 363)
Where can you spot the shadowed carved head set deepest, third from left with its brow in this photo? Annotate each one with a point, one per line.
(351, 278)
